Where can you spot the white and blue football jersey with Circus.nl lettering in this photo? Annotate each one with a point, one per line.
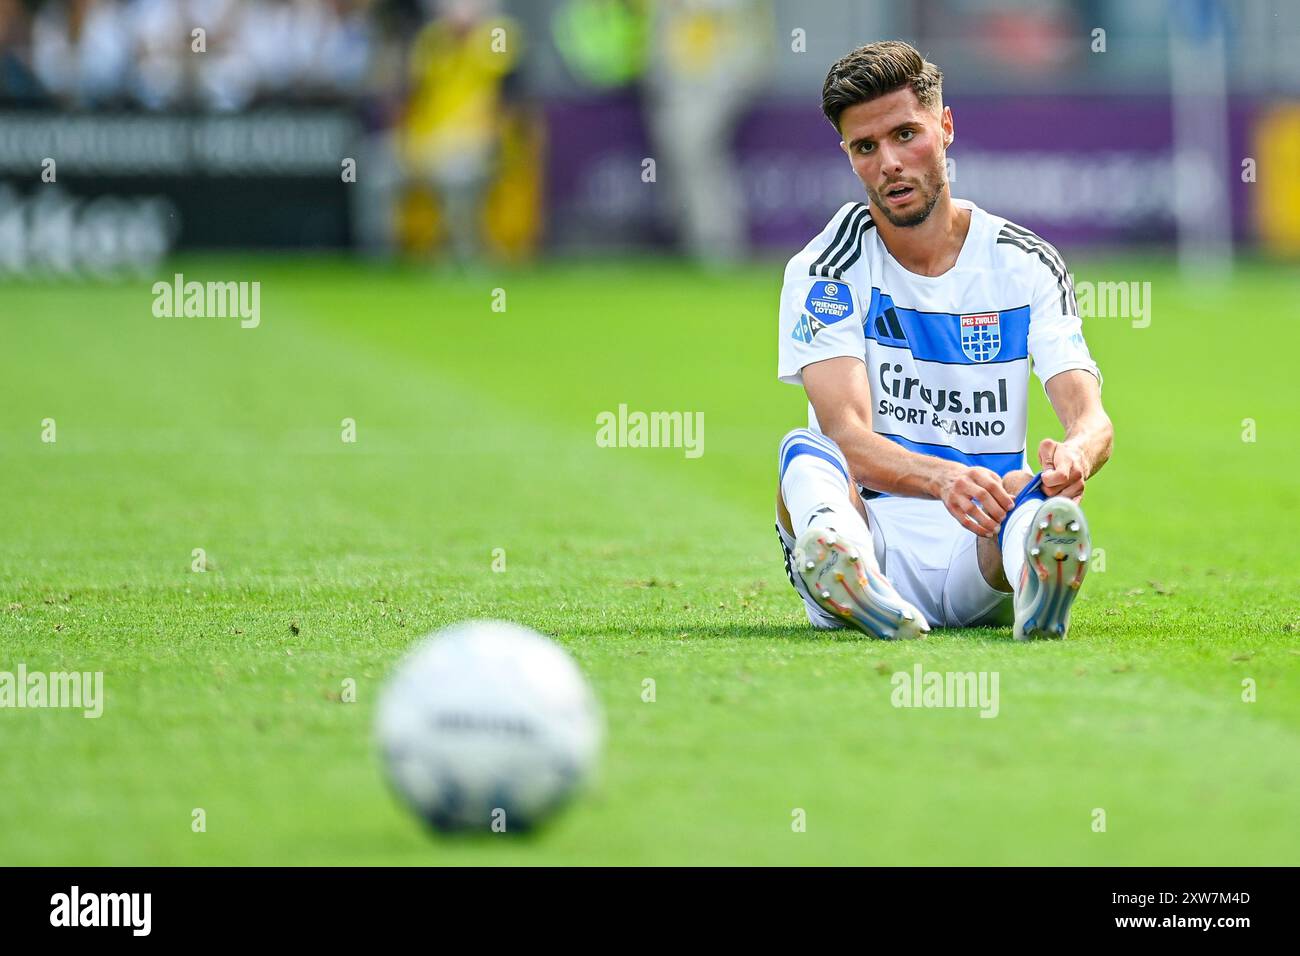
(948, 358)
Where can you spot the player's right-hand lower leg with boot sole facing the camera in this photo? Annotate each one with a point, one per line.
(1043, 552)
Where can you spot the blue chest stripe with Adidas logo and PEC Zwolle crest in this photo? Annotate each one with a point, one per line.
(939, 338)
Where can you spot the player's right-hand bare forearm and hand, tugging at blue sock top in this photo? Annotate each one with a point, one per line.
(1089, 435)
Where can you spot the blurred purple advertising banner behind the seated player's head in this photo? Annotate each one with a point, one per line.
(1077, 170)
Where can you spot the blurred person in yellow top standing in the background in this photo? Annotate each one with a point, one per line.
(457, 124)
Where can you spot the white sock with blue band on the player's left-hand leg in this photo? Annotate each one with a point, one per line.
(816, 491)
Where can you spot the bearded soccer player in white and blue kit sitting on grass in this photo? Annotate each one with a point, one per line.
(911, 322)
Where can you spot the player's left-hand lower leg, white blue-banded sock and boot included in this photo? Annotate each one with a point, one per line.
(834, 553)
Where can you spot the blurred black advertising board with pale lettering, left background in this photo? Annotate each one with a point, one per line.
(106, 194)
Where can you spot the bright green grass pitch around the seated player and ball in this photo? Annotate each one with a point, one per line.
(476, 431)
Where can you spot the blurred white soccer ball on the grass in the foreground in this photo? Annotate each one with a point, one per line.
(488, 726)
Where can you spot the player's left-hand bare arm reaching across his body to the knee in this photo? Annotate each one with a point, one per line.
(842, 397)
